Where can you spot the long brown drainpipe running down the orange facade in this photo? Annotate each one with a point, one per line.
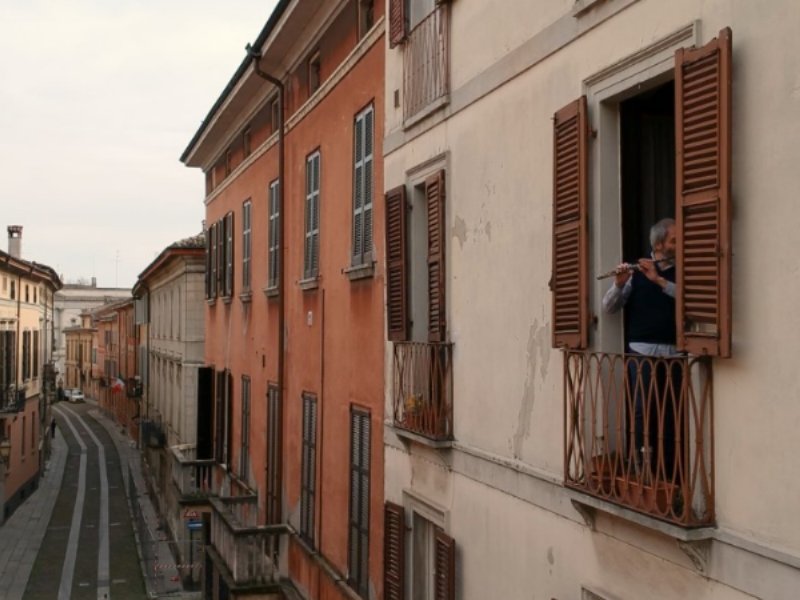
(255, 56)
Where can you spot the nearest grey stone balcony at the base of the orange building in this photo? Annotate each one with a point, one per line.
(244, 547)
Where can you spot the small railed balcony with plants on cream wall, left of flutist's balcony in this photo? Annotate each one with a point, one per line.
(423, 389)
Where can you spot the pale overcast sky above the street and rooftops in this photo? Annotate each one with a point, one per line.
(98, 99)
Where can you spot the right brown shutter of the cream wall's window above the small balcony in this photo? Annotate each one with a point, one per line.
(435, 194)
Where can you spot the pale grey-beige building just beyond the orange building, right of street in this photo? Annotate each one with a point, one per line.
(169, 316)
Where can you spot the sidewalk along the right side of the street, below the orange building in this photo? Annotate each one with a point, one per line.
(161, 575)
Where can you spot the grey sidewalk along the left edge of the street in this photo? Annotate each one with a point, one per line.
(22, 534)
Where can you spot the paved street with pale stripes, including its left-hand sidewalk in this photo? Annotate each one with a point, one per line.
(76, 540)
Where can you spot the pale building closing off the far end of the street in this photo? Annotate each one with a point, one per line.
(71, 300)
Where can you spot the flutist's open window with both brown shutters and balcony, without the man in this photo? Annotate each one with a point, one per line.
(638, 428)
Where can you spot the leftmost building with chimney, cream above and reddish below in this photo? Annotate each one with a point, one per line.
(27, 292)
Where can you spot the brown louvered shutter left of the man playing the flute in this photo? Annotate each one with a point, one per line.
(568, 283)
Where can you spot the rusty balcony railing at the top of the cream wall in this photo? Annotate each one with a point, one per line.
(426, 63)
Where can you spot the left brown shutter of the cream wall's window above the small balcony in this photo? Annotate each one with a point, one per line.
(396, 265)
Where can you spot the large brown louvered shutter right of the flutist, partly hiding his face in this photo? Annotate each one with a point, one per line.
(703, 216)
